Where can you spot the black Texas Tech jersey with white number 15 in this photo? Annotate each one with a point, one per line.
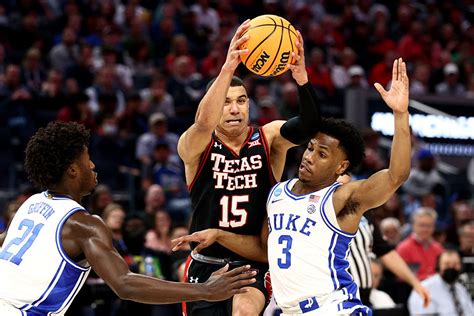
(230, 190)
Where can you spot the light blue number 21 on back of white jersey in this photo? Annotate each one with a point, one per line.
(32, 231)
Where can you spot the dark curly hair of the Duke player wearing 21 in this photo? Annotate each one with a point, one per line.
(52, 150)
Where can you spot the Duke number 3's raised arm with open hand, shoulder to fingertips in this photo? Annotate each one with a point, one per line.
(384, 183)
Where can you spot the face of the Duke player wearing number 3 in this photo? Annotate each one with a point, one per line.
(323, 161)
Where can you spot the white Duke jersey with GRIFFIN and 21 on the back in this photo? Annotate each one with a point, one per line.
(36, 275)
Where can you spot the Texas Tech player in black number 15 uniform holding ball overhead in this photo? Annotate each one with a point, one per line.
(230, 168)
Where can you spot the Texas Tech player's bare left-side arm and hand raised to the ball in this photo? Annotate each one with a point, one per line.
(193, 142)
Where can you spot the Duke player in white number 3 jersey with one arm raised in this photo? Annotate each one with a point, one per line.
(312, 219)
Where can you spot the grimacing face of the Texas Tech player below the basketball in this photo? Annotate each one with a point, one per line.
(234, 118)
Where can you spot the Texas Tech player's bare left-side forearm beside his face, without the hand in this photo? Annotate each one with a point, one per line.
(210, 108)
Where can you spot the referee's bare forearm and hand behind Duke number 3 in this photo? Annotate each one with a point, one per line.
(398, 266)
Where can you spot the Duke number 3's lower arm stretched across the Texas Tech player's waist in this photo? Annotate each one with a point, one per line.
(248, 246)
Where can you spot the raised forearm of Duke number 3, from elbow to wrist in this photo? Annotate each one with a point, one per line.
(400, 158)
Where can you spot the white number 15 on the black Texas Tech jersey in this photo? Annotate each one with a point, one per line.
(239, 213)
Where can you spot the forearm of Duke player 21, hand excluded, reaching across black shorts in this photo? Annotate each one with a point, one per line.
(143, 289)
